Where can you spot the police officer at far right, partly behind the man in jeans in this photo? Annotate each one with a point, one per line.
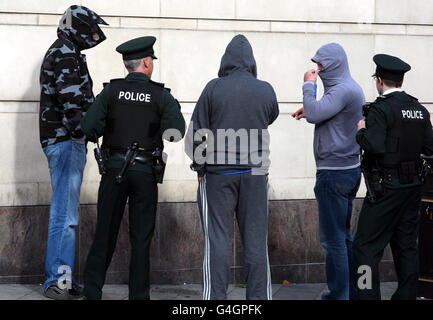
(397, 129)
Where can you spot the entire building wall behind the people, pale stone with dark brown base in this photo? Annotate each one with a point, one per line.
(191, 38)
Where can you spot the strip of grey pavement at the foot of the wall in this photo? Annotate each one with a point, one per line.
(304, 291)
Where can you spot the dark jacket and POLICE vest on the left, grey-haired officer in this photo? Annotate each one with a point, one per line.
(133, 109)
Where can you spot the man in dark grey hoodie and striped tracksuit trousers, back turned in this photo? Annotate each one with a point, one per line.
(229, 145)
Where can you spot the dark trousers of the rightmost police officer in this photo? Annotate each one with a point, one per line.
(394, 220)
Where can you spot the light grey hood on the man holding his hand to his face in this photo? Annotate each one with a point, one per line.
(335, 65)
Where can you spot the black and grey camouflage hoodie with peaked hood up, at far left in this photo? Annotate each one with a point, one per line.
(66, 86)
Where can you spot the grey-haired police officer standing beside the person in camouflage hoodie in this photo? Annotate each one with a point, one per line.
(134, 109)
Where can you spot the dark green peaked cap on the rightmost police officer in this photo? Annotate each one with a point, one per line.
(390, 67)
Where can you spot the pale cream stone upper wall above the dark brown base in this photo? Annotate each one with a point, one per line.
(192, 36)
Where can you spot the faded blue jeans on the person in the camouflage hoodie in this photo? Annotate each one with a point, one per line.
(66, 162)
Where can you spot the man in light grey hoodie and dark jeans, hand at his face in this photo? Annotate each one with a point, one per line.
(336, 152)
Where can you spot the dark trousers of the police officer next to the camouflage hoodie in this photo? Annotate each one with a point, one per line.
(142, 191)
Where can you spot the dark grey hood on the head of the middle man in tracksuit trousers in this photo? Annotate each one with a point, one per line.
(238, 56)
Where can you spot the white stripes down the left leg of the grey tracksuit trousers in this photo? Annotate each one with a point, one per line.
(206, 260)
